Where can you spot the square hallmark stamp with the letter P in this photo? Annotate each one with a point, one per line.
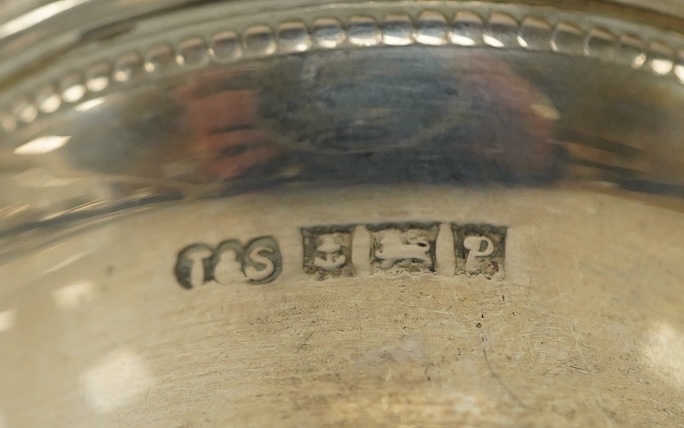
(480, 250)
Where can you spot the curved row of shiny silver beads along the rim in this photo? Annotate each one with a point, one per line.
(466, 28)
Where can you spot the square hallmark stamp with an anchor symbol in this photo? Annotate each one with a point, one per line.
(328, 251)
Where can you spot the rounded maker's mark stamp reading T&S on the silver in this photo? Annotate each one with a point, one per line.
(259, 261)
